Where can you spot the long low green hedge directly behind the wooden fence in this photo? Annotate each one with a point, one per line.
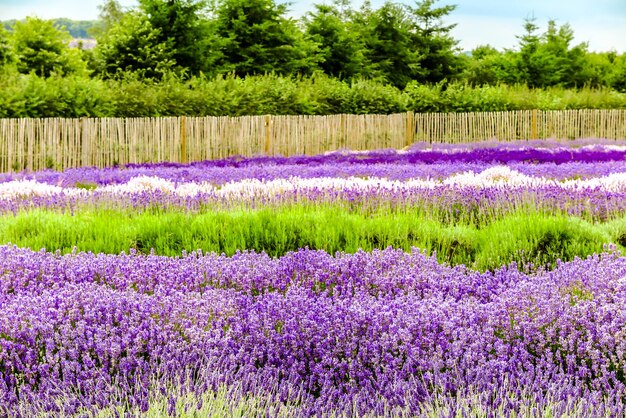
(129, 95)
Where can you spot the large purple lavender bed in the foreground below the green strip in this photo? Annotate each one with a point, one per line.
(350, 333)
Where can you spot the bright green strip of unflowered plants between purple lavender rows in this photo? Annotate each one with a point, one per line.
(528, 238)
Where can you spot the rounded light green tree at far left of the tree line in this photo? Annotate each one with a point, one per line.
(43, 49)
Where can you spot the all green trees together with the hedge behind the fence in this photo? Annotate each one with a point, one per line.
(357, 59)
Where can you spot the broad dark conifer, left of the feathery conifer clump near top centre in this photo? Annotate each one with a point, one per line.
(254, 37)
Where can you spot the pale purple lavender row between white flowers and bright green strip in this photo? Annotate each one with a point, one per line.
(447, 201)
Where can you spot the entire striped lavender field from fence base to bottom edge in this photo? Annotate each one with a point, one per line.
(475, 280)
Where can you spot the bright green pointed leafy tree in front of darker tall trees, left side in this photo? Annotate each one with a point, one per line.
(132, 45)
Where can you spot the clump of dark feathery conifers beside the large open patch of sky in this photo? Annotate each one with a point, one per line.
(395, 43)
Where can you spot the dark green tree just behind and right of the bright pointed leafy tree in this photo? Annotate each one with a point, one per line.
(181, 27)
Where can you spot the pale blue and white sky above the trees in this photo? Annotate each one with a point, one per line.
(600, 23)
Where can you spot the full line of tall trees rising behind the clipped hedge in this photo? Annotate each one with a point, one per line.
(395, 43)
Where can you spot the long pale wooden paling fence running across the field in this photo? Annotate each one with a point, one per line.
(34, 144)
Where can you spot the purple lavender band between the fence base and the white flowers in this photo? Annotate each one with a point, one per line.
(559, 164)
